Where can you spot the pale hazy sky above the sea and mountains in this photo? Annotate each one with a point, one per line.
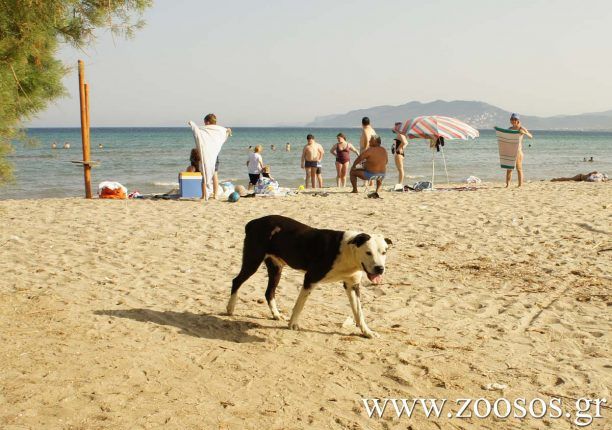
(276, 62)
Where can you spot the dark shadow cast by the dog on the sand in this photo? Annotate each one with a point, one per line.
(197, 325)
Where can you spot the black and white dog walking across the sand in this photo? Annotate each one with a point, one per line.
(325, 255)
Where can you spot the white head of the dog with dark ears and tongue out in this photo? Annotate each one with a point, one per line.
(371, 252)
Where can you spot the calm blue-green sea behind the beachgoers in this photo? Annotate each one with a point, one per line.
(149, 159)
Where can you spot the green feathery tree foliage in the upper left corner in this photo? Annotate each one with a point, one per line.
(30, 33)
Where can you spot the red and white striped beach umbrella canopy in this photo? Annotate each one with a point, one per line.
(433, 126)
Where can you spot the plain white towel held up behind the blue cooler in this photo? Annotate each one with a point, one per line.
(209, 140)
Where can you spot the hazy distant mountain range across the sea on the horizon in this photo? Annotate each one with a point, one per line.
(478, 114)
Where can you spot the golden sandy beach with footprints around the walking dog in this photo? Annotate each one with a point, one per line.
(111, 312)
